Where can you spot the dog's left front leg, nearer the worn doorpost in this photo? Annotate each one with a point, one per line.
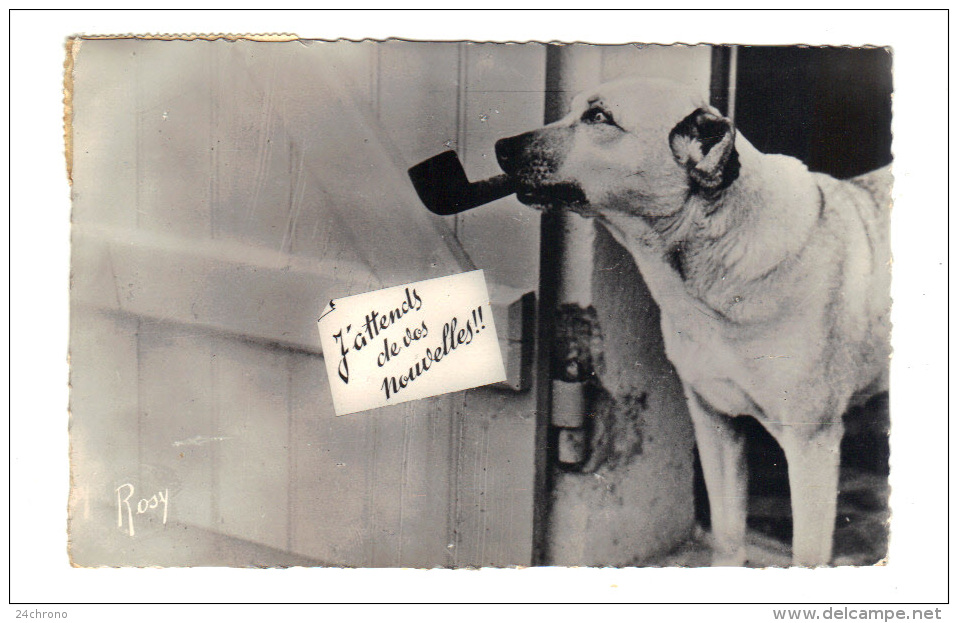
(722, 451)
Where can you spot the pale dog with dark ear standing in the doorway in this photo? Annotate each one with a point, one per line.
(773, 281)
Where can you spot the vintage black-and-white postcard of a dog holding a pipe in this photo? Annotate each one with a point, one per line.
(687, 254)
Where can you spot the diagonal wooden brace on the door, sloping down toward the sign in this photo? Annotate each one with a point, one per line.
(343, 153)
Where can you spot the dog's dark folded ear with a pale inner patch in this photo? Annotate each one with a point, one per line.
(704, 143)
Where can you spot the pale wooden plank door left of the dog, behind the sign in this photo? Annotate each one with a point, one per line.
(252, 184)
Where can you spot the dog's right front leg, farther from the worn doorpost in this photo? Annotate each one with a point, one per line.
(813, 465)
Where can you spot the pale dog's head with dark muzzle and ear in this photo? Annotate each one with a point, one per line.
(628, 146)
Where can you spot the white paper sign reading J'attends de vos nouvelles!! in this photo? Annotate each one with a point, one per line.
(409, 342)
